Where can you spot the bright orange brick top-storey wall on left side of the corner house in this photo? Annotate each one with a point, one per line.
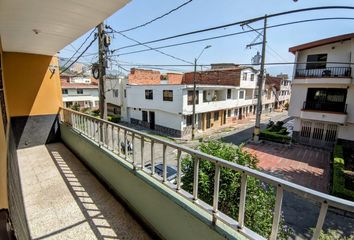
(144, 77)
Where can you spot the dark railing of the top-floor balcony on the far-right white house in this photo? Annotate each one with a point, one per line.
(324, 72)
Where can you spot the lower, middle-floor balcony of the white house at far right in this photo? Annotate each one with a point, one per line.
(325, 111)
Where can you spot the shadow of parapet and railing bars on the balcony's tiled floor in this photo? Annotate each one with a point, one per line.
(106, 217)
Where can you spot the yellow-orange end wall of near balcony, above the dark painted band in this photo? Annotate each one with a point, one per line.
(31, 88)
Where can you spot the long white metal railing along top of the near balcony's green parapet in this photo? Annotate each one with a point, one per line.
(111, 135)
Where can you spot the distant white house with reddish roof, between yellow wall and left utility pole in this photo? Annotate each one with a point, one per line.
(80, 91)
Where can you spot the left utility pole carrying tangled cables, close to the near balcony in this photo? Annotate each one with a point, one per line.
(102, 70)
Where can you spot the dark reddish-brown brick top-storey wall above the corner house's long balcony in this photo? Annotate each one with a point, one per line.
(225, 77)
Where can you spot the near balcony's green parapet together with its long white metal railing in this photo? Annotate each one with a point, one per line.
(97, 143)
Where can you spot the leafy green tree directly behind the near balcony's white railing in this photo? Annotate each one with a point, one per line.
(260, 198)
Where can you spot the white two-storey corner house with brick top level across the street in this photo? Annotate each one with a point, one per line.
(163, 102)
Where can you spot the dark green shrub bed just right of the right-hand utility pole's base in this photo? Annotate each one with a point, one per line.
(275, 132)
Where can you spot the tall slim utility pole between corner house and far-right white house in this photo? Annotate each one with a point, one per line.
(261, 76)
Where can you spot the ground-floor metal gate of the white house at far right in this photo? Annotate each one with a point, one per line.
(318, 134)
